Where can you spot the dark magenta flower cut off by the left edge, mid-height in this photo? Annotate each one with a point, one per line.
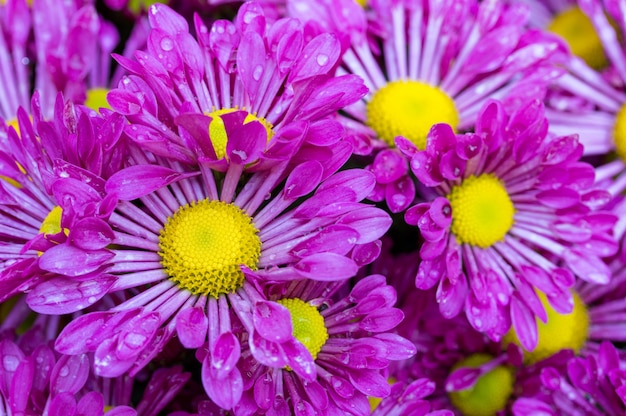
(34, 213)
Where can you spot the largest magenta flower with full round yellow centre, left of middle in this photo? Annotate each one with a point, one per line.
(180, 243)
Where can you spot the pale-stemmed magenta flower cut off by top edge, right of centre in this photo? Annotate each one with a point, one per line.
(427, 63)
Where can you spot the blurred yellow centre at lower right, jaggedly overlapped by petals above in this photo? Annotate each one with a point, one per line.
(562, 331)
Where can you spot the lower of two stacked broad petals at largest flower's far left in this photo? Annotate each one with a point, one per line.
(61, 295)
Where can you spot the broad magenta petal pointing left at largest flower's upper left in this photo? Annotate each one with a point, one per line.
(139, 180)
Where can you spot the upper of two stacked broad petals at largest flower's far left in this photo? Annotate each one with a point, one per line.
(71, 261)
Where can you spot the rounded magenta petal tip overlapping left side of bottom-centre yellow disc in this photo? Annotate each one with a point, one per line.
(272, 321)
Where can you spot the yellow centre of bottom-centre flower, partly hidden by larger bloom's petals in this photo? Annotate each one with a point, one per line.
(308, 324)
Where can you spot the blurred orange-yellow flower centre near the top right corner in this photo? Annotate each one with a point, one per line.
(578, 32)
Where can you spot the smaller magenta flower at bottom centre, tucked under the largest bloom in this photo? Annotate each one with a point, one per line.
(333, 348)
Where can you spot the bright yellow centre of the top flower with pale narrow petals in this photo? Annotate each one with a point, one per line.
(409, 109)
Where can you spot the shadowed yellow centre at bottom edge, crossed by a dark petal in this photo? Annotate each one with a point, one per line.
(490, 393)
